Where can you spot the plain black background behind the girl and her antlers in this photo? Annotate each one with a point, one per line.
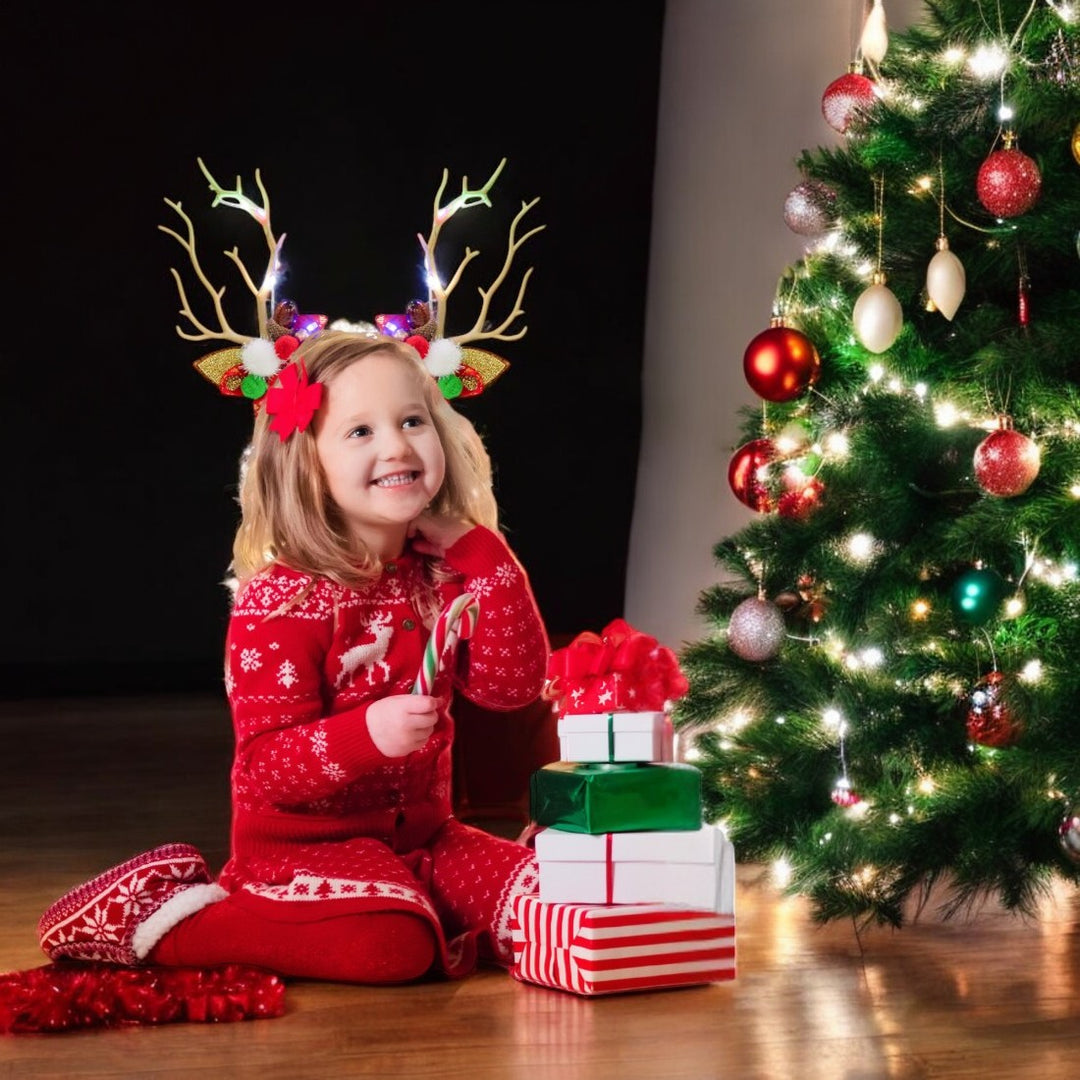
(121, 461)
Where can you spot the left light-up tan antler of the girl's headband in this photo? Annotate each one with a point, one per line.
(262, 292)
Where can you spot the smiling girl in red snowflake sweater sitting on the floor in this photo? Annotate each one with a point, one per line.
(367, 508)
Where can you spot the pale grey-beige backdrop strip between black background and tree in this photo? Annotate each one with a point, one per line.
(740, 98)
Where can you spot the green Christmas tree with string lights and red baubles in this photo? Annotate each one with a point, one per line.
(888, 698)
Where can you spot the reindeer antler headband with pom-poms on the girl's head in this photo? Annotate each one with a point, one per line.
(251, 366)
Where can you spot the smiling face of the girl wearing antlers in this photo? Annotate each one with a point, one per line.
(380, 451)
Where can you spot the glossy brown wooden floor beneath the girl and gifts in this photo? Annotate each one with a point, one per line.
(85, 785)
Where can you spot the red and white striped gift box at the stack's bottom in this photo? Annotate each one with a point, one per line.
(593, 950)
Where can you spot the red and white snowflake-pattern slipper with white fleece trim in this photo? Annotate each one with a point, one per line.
(123, 914)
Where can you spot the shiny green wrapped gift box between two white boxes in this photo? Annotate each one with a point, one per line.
(602, 798)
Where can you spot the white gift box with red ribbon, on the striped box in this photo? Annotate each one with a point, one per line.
(694, 868)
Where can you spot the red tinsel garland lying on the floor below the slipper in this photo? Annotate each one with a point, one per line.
(60, 997)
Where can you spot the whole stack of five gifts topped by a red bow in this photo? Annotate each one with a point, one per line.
(636, 893)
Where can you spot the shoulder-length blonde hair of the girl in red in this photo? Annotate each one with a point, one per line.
(287, 511)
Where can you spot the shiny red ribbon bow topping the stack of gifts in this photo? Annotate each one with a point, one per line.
(647, 674)
